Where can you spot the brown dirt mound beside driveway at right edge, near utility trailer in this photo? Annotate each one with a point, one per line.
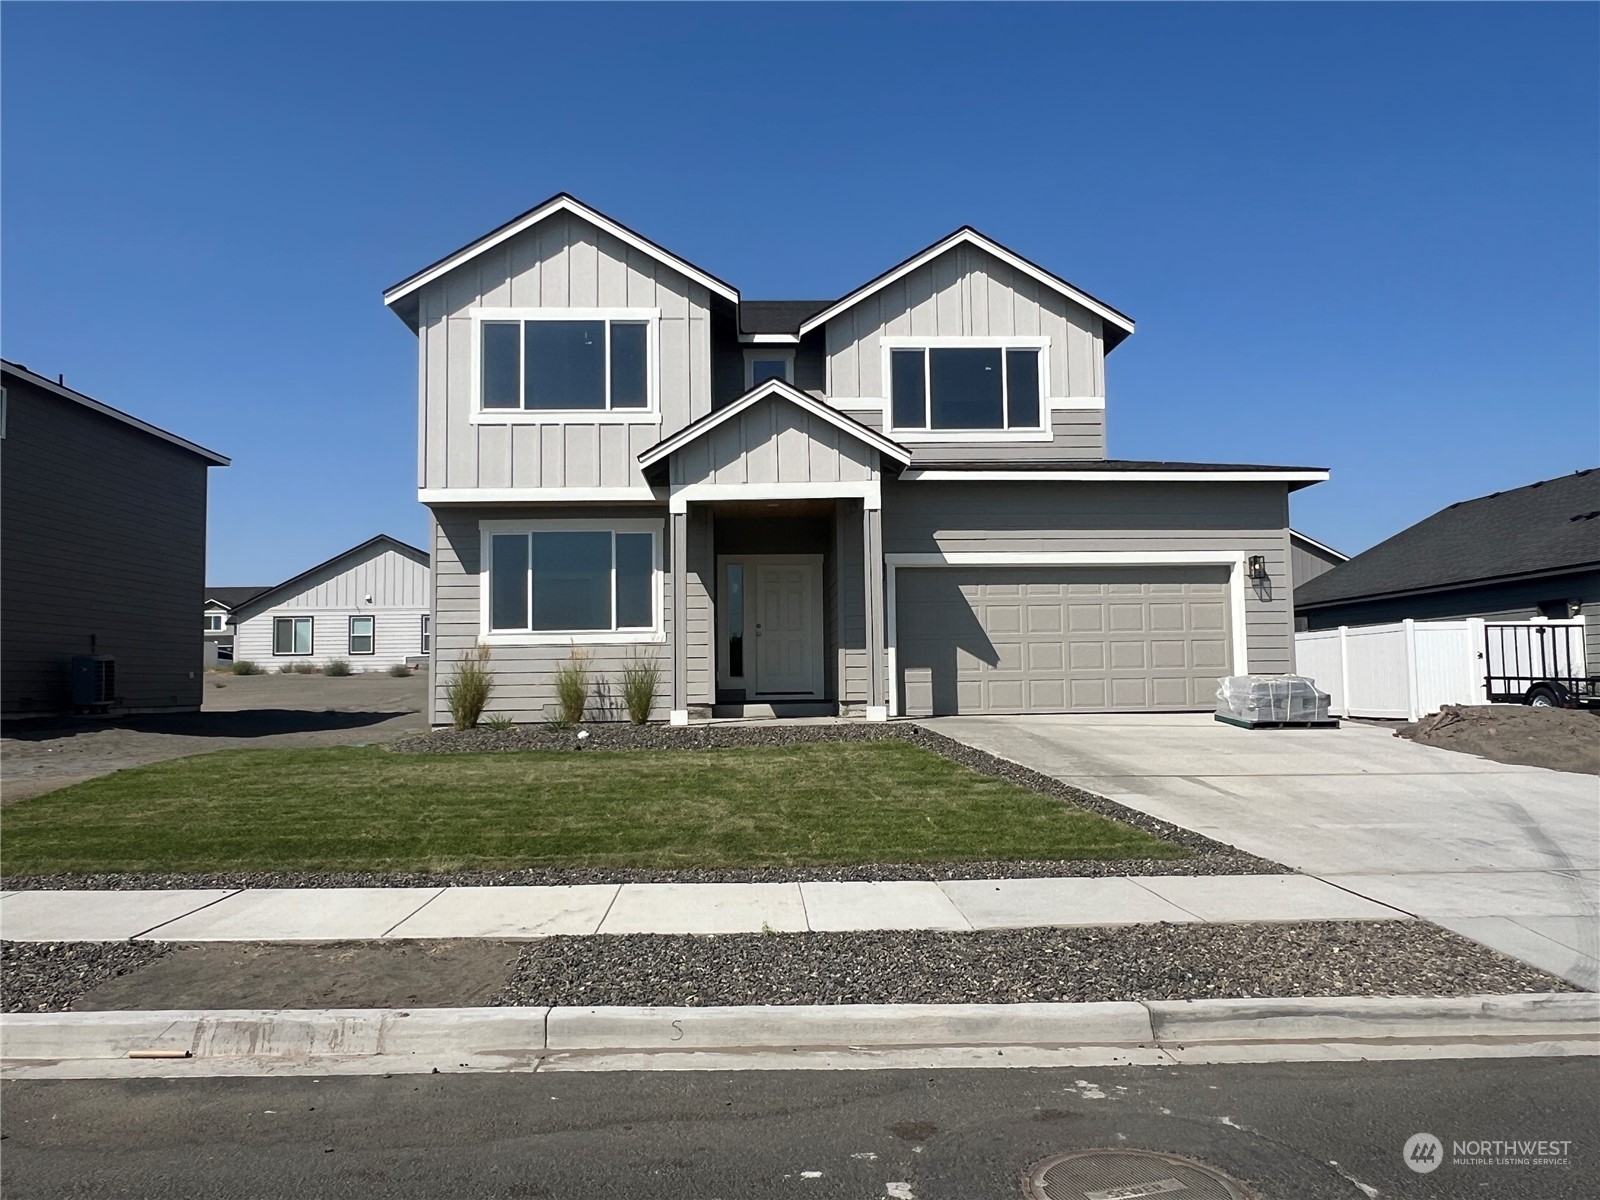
(1562, 740)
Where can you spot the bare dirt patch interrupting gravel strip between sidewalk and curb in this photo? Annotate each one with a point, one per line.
(327, 975)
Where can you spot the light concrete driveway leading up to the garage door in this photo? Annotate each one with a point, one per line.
(1505, 855)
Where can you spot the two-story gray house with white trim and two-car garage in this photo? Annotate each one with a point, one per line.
(890, 503)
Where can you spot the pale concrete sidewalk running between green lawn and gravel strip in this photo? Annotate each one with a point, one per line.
(335, 914)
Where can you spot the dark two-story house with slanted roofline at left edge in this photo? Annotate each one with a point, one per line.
(103, 554)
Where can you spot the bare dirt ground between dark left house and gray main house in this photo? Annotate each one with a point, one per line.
(241, 713)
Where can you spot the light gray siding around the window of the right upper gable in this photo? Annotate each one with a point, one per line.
(967, 292)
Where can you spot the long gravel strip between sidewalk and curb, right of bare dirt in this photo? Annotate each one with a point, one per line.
(1137, 962)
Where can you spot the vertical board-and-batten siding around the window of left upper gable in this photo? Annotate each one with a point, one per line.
(562, 263)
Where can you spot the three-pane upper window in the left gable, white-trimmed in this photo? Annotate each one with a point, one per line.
(554, 361)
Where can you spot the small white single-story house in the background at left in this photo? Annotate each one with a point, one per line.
(369, 606)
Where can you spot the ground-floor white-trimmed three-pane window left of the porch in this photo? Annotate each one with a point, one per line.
(572, 582)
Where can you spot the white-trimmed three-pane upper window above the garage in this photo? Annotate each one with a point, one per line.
(967, 388)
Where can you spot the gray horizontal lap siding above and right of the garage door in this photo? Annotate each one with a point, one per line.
(1113, 518)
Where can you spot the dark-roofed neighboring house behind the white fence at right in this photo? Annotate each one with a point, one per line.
(1511, 556)
